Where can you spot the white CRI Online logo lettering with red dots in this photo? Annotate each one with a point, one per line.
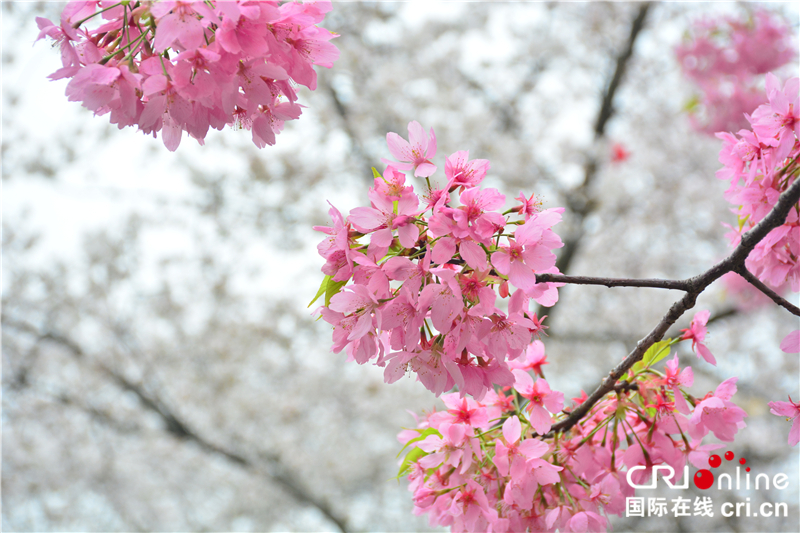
(704, 479)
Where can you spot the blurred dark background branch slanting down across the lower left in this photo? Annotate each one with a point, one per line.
(181, 430)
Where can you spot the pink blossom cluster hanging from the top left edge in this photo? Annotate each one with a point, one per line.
(191, 65)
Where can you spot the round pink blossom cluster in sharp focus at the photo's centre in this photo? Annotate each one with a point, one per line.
(429, 271)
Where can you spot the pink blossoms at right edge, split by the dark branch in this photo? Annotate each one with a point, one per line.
(760, 164)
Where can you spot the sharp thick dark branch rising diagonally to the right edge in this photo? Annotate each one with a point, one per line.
(697, 284)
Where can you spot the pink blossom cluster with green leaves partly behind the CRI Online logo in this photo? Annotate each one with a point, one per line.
(492, 465)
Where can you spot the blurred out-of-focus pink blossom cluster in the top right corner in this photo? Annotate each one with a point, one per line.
(725, 58)
